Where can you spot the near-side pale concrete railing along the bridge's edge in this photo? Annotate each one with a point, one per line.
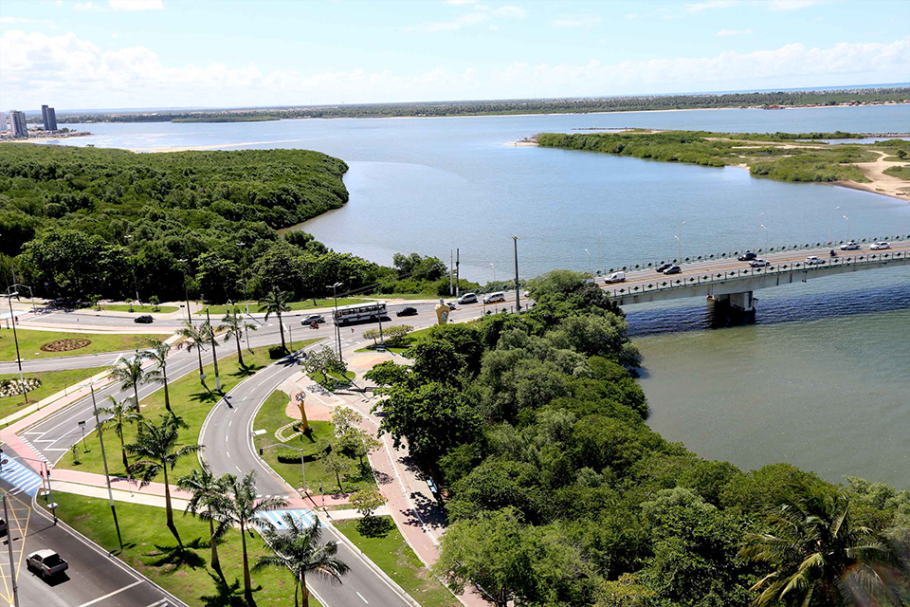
(668, 283)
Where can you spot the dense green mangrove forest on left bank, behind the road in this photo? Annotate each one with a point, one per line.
(83, 222)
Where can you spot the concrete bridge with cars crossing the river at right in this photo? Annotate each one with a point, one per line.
(731, 283)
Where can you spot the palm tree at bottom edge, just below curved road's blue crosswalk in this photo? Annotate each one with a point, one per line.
(298, 548)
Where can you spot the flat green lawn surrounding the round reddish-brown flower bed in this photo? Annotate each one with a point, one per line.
(30, 343)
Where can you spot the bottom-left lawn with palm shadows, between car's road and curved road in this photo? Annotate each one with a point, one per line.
(149, 547)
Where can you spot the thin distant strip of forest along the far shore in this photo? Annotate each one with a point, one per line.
(513, 106)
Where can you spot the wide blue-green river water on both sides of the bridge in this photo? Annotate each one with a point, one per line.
(822, 380)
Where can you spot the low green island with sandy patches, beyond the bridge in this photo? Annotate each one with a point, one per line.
(882, 167)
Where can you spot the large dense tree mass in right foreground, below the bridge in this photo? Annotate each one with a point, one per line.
(558, 492)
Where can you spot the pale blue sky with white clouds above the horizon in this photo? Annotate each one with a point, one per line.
(212, 53)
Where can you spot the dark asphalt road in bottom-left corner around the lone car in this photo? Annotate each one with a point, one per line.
(94, 577)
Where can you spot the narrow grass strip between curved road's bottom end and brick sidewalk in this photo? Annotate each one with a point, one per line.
(393, 555)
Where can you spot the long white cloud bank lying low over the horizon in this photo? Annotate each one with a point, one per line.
(35, 67)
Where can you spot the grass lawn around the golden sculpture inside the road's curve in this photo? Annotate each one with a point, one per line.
(286, 462)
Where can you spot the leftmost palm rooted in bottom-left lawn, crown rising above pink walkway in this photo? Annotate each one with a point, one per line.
(157, 446)
